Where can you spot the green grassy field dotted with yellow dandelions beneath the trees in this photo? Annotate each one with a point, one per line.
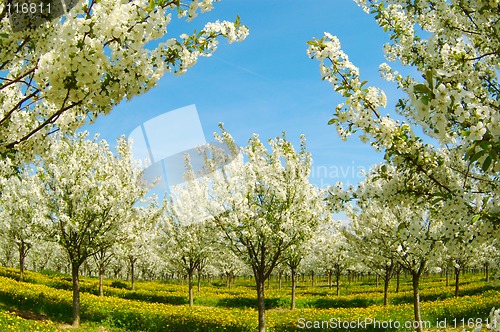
(43, 303)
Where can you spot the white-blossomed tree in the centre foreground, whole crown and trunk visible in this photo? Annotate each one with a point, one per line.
(263, 203)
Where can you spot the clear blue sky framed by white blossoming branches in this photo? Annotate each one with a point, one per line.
(267, 84)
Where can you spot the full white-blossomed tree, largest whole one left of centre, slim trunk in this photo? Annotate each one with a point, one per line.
(89, 194)
